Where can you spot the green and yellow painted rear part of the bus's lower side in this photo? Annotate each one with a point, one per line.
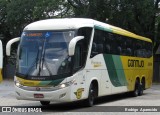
(124, 70)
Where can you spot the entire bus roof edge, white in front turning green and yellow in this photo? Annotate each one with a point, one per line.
(75, 23)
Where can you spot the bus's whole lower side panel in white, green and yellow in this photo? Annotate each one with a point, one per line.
(118, 74)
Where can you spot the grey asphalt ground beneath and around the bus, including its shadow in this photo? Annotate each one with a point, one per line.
(115, 103)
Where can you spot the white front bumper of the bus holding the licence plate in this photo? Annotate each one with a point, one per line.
(60, 95)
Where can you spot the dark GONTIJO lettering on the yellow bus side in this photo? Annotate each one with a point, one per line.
(135, 63)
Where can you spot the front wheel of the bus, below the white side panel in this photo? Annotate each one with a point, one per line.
(91, 96)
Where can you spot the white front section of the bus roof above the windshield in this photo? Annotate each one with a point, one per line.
(60, 24)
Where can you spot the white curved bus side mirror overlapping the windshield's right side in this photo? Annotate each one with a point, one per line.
(72, 44)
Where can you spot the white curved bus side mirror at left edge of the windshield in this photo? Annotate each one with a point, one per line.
(8, 46)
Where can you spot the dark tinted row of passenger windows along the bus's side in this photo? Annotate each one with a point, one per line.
(110, 43)
